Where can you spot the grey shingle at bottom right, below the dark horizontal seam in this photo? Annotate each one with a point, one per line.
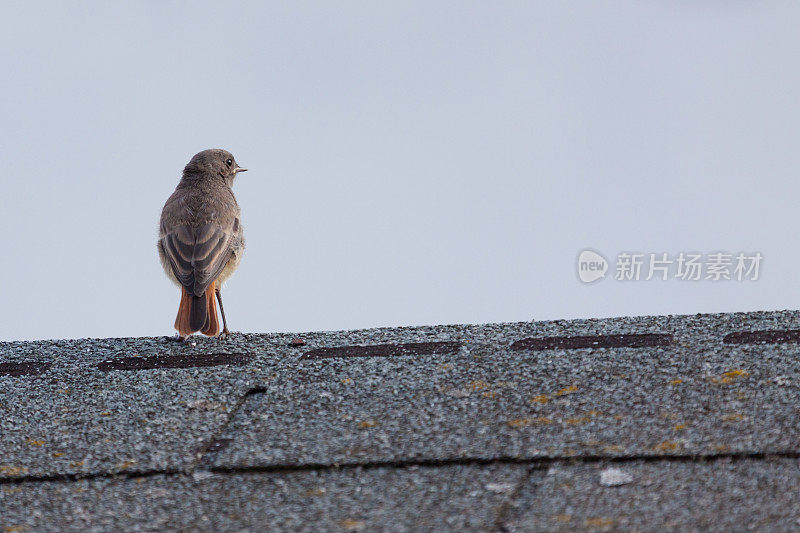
(724, 495)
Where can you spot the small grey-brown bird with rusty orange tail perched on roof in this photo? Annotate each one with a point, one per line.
(201, 240)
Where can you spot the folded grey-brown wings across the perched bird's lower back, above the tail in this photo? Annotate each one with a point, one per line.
(197, 255)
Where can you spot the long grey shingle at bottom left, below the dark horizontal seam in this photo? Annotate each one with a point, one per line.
(452, 498)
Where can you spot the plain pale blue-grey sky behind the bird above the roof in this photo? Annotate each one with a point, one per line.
(410, 162)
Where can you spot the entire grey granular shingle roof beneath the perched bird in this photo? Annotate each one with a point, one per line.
(682, 422)
